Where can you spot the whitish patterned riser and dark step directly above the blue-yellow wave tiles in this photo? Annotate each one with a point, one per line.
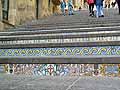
(81, 42)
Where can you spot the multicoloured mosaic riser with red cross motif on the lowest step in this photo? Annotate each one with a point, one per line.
(62, 69)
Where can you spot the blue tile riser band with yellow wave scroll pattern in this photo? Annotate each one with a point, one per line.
(66, 51)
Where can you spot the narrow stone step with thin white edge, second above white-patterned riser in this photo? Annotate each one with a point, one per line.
(63, 30)
